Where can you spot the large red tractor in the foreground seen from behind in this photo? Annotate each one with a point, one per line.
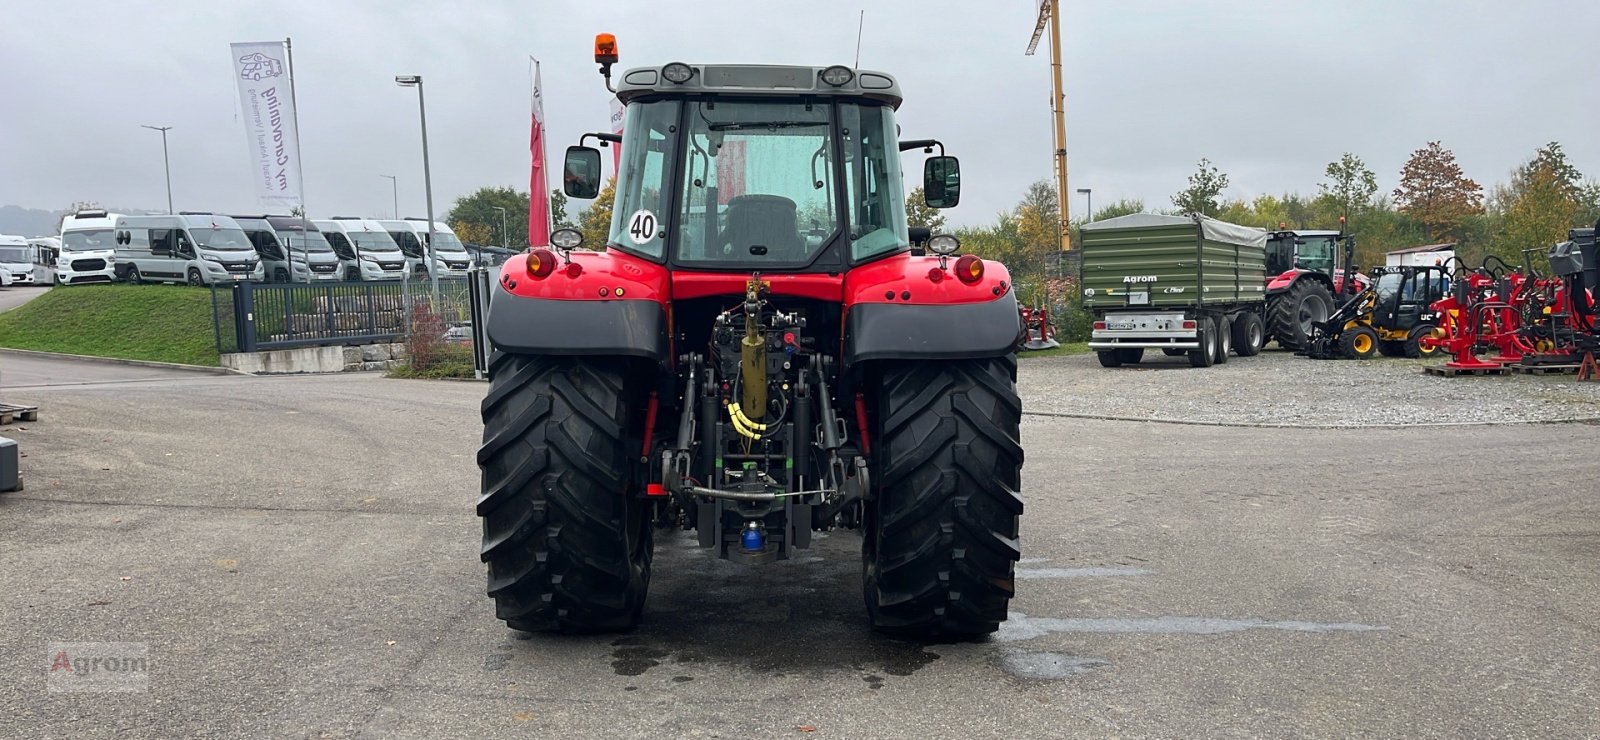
(756, 356)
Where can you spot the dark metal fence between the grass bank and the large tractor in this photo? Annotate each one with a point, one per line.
(252, 318)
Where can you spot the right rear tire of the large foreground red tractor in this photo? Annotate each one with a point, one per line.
(942, 529)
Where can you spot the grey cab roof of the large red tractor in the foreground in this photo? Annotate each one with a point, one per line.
(756, 81)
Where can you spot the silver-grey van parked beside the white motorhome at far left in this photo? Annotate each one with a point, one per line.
(199, 249)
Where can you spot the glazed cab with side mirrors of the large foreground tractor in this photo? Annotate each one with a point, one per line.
(759, 167)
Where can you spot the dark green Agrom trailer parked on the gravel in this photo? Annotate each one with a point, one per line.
(1188, 286)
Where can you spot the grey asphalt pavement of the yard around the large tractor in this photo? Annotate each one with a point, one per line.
(300, 555)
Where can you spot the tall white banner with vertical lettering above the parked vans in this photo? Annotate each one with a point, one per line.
(266, 97)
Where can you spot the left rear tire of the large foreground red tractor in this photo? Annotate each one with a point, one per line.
(567, 544)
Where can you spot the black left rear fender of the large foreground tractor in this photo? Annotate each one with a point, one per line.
(543, 326)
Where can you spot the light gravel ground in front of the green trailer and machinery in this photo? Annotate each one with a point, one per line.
(1279, 388)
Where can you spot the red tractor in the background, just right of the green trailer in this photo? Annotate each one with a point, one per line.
(1306, 284)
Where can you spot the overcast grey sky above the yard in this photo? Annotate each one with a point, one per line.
(1270, 90)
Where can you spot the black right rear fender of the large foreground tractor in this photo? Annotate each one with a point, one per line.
(934, 332)
